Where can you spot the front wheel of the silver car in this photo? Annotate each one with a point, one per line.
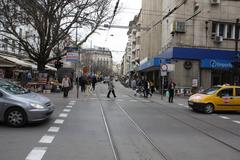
(16, 117)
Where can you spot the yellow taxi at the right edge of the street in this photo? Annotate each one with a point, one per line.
(216, 98)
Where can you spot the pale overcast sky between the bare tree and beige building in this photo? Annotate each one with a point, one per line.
(116, 39)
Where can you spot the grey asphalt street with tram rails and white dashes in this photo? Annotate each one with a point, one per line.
(127, 127)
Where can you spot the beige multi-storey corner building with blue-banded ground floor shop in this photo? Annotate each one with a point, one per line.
(198, 37)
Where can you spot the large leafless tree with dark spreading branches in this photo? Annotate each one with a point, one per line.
(50, 22)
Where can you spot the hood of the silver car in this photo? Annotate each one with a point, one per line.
(31, 98)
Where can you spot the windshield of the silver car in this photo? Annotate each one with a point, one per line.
(13, 89)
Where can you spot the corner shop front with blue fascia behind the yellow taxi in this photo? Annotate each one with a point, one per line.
(201, 68)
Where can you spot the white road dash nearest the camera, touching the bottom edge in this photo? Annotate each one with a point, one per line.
(37, 153)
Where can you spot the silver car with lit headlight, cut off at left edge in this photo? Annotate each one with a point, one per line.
(19, 106)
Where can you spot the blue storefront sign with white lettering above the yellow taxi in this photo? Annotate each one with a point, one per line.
(216, 64)
